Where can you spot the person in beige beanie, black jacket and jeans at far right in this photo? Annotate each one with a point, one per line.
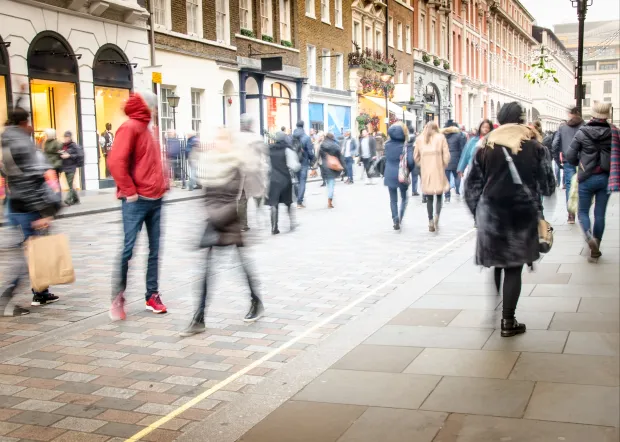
(590, 150)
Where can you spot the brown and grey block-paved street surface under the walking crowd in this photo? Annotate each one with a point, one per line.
(68, 374)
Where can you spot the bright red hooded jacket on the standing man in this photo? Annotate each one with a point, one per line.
(135, 160)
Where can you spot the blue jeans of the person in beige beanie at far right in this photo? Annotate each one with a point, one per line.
(595, 186)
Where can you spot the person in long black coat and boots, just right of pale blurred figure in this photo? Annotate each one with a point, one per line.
(280, 182)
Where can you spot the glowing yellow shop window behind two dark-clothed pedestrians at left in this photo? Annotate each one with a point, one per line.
(54, 106)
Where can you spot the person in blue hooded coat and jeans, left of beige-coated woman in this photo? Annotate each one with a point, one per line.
(395, 148)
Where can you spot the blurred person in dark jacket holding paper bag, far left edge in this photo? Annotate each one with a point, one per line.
(31, 207)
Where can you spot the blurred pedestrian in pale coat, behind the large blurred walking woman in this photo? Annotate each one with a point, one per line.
(255, 180)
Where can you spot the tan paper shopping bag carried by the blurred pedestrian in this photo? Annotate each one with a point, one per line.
(49, 261)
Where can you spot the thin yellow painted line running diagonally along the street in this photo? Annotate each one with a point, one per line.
(204, 395)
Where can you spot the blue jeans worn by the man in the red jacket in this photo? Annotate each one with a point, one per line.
(147, 212)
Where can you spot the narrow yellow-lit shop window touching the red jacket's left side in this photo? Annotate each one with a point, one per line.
(109, 103)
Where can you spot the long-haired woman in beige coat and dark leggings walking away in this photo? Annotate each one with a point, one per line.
(432, 155)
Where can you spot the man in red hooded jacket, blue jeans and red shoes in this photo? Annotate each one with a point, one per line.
(136, 166)
